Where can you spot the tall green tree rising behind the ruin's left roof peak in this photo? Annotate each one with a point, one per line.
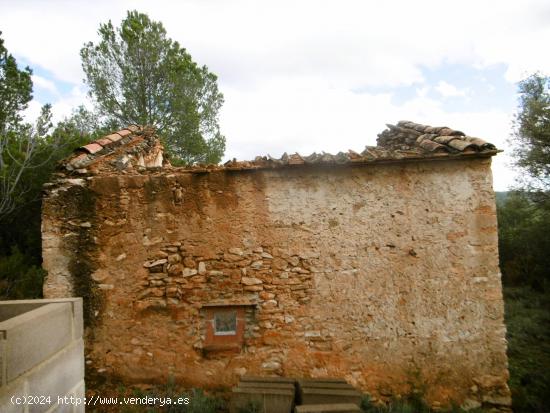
(137, 74)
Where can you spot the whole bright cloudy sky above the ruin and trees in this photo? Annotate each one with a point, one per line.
(314, 75)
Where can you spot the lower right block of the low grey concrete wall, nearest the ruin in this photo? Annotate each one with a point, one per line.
(60, 374)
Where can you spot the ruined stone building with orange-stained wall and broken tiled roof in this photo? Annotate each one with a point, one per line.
(380, 267)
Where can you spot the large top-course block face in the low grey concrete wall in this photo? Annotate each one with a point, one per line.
(34, 336)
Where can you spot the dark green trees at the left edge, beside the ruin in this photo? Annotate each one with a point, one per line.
(28, 156)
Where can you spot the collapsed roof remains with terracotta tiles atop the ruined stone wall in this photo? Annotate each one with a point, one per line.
(138, 148)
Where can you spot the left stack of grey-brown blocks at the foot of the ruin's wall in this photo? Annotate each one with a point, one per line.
(268, 400)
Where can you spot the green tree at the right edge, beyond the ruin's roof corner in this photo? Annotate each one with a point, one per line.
(532, 133)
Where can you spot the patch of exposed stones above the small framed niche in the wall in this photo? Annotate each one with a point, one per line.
(176, 274)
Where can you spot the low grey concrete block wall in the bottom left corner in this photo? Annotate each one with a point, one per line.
(41, 355)
